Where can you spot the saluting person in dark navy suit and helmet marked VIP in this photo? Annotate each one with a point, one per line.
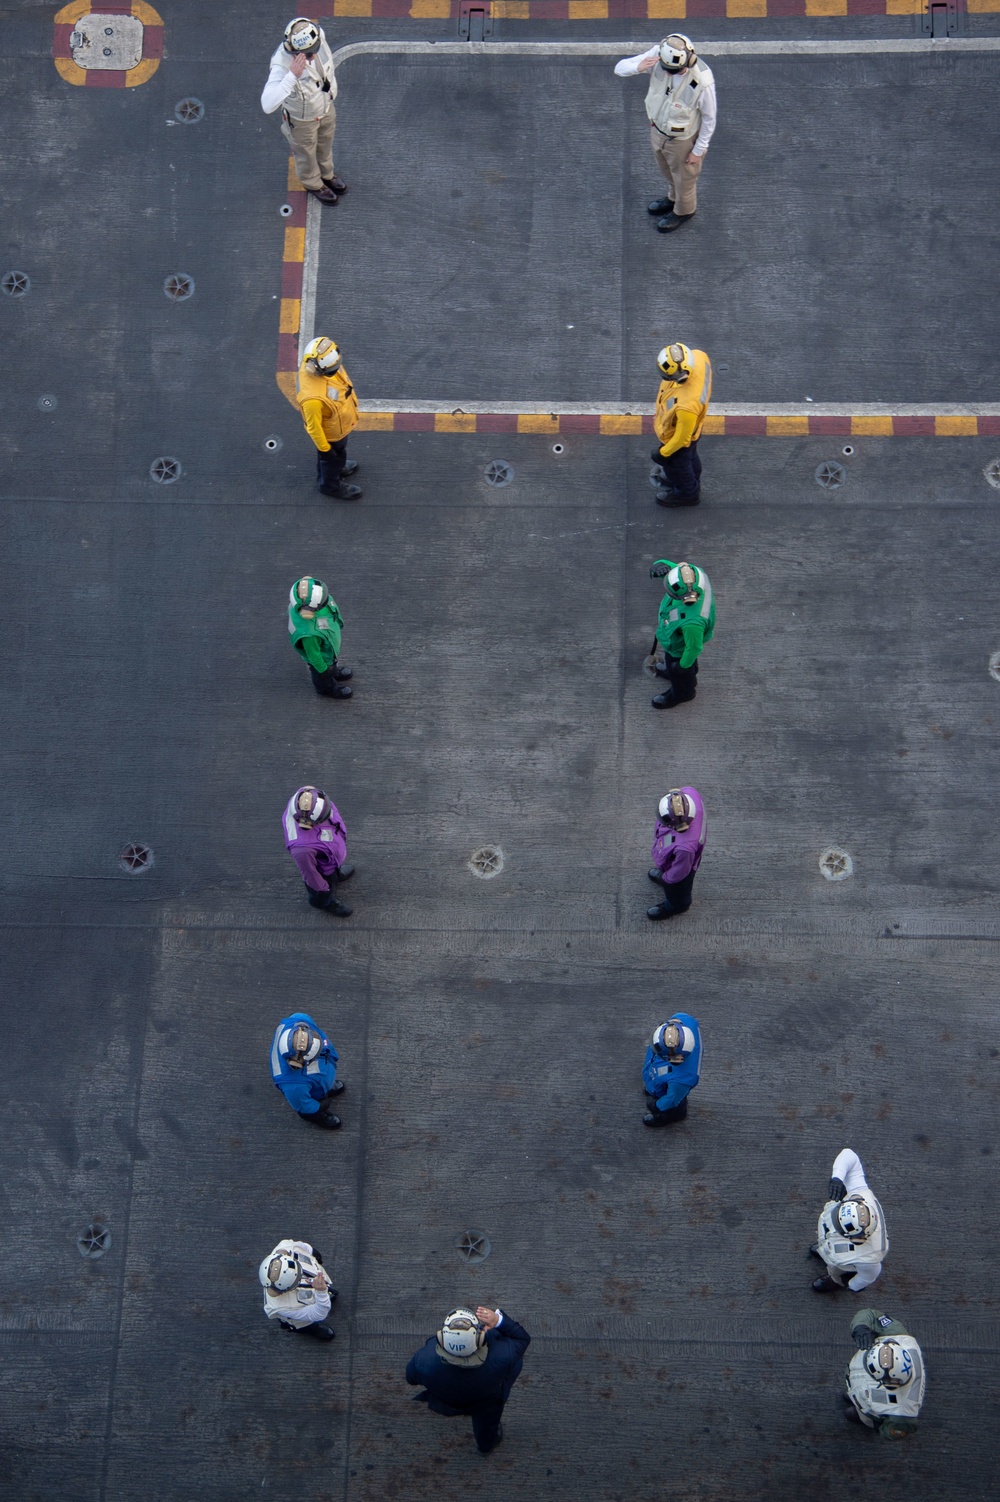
(469, 1368)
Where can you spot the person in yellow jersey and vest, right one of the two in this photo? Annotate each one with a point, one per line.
(682, 406)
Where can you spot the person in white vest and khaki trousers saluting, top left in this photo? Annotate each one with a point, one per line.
(303, 85)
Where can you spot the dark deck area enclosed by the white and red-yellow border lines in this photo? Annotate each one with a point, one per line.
(840, 237)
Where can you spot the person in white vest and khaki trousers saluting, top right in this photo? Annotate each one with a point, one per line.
(681, 107)
